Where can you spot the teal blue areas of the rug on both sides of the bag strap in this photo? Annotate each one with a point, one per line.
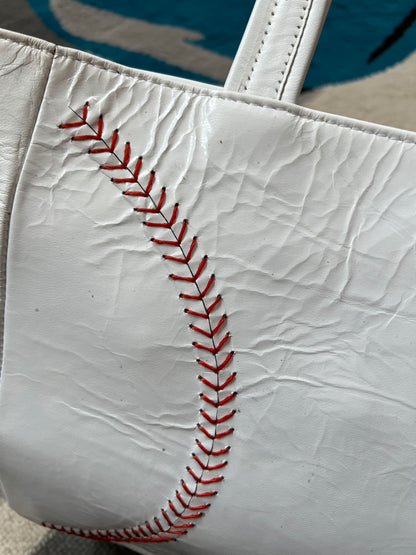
(354, 30)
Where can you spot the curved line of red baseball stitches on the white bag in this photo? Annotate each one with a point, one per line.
(188, 511)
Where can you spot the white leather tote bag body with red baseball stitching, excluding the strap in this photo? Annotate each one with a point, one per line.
(210, 305)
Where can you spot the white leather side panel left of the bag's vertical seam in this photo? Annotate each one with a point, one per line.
(23, 72)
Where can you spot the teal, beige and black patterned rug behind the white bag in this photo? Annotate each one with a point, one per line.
(364, 67)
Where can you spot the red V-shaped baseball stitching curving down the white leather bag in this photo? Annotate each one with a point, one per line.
(179, 516)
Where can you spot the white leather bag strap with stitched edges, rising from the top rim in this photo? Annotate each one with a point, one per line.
(277, 48)
